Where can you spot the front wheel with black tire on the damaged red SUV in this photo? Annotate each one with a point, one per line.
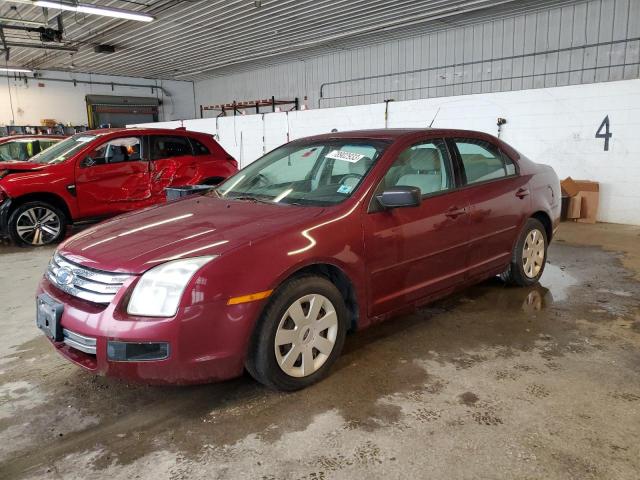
(53, 218)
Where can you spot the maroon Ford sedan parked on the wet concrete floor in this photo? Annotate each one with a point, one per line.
(319, 237)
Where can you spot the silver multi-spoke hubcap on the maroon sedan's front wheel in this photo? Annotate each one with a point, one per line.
(306, 335)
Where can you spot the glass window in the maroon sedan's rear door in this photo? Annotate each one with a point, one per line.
(482, 161)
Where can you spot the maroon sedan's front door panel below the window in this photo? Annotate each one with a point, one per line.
(413, 253)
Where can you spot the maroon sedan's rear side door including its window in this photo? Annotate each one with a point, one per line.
(499, 201)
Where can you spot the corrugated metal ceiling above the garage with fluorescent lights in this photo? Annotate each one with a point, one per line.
(196, 39)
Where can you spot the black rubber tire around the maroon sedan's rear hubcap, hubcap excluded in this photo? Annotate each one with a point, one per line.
(515, 273)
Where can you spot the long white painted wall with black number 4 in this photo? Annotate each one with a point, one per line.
(556, 126)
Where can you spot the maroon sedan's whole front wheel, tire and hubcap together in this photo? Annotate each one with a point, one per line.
(300, 334)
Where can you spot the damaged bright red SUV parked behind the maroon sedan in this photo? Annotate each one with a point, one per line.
(101, 173)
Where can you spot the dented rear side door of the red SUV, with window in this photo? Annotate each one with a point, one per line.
(173, 163)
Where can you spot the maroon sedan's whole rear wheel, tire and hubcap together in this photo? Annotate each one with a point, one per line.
(529, 255)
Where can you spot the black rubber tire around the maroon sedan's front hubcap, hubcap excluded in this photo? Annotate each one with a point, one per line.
(262, 363)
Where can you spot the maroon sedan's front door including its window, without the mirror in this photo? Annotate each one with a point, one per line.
(413, 253)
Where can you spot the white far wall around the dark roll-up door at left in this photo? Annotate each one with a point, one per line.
(65, 102)
